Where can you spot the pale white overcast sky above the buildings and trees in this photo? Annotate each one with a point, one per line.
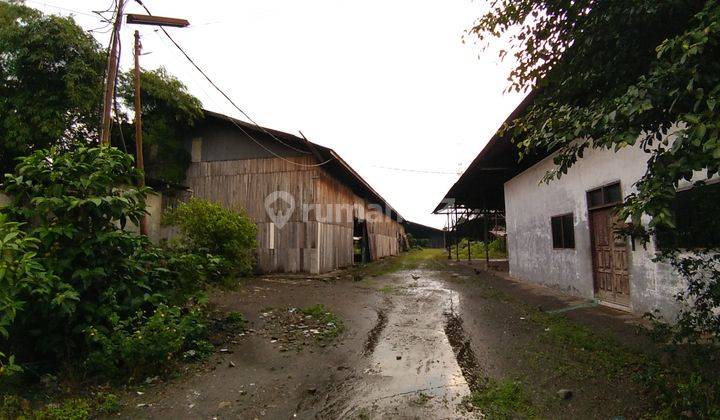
(386, 83)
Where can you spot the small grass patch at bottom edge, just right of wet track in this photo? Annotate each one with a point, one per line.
(503, 399)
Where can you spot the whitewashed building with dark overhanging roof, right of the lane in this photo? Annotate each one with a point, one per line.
(561, 234)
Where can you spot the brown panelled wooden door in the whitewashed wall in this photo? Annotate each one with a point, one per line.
(610, 258)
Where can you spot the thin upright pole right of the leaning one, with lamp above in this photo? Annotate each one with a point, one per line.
(155, 21)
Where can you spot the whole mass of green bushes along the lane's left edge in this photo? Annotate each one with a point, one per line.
(73, 283)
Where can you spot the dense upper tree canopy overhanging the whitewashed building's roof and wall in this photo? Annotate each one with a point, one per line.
(613, 74)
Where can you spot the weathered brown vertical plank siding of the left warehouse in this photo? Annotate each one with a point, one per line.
(315, 239)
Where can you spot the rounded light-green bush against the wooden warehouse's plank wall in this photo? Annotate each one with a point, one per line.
(208, 228)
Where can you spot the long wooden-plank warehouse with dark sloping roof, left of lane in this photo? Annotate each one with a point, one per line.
(314, 212)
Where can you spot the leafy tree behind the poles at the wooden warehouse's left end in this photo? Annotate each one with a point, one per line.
(168, 112)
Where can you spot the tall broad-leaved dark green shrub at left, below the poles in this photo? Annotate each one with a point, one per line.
(72, 204)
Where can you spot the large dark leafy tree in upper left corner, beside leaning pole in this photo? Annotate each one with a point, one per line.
(51, 76)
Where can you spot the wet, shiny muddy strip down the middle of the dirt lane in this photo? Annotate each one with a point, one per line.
(412, 368)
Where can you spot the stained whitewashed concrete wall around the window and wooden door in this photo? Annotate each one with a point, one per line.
(530, 205)
